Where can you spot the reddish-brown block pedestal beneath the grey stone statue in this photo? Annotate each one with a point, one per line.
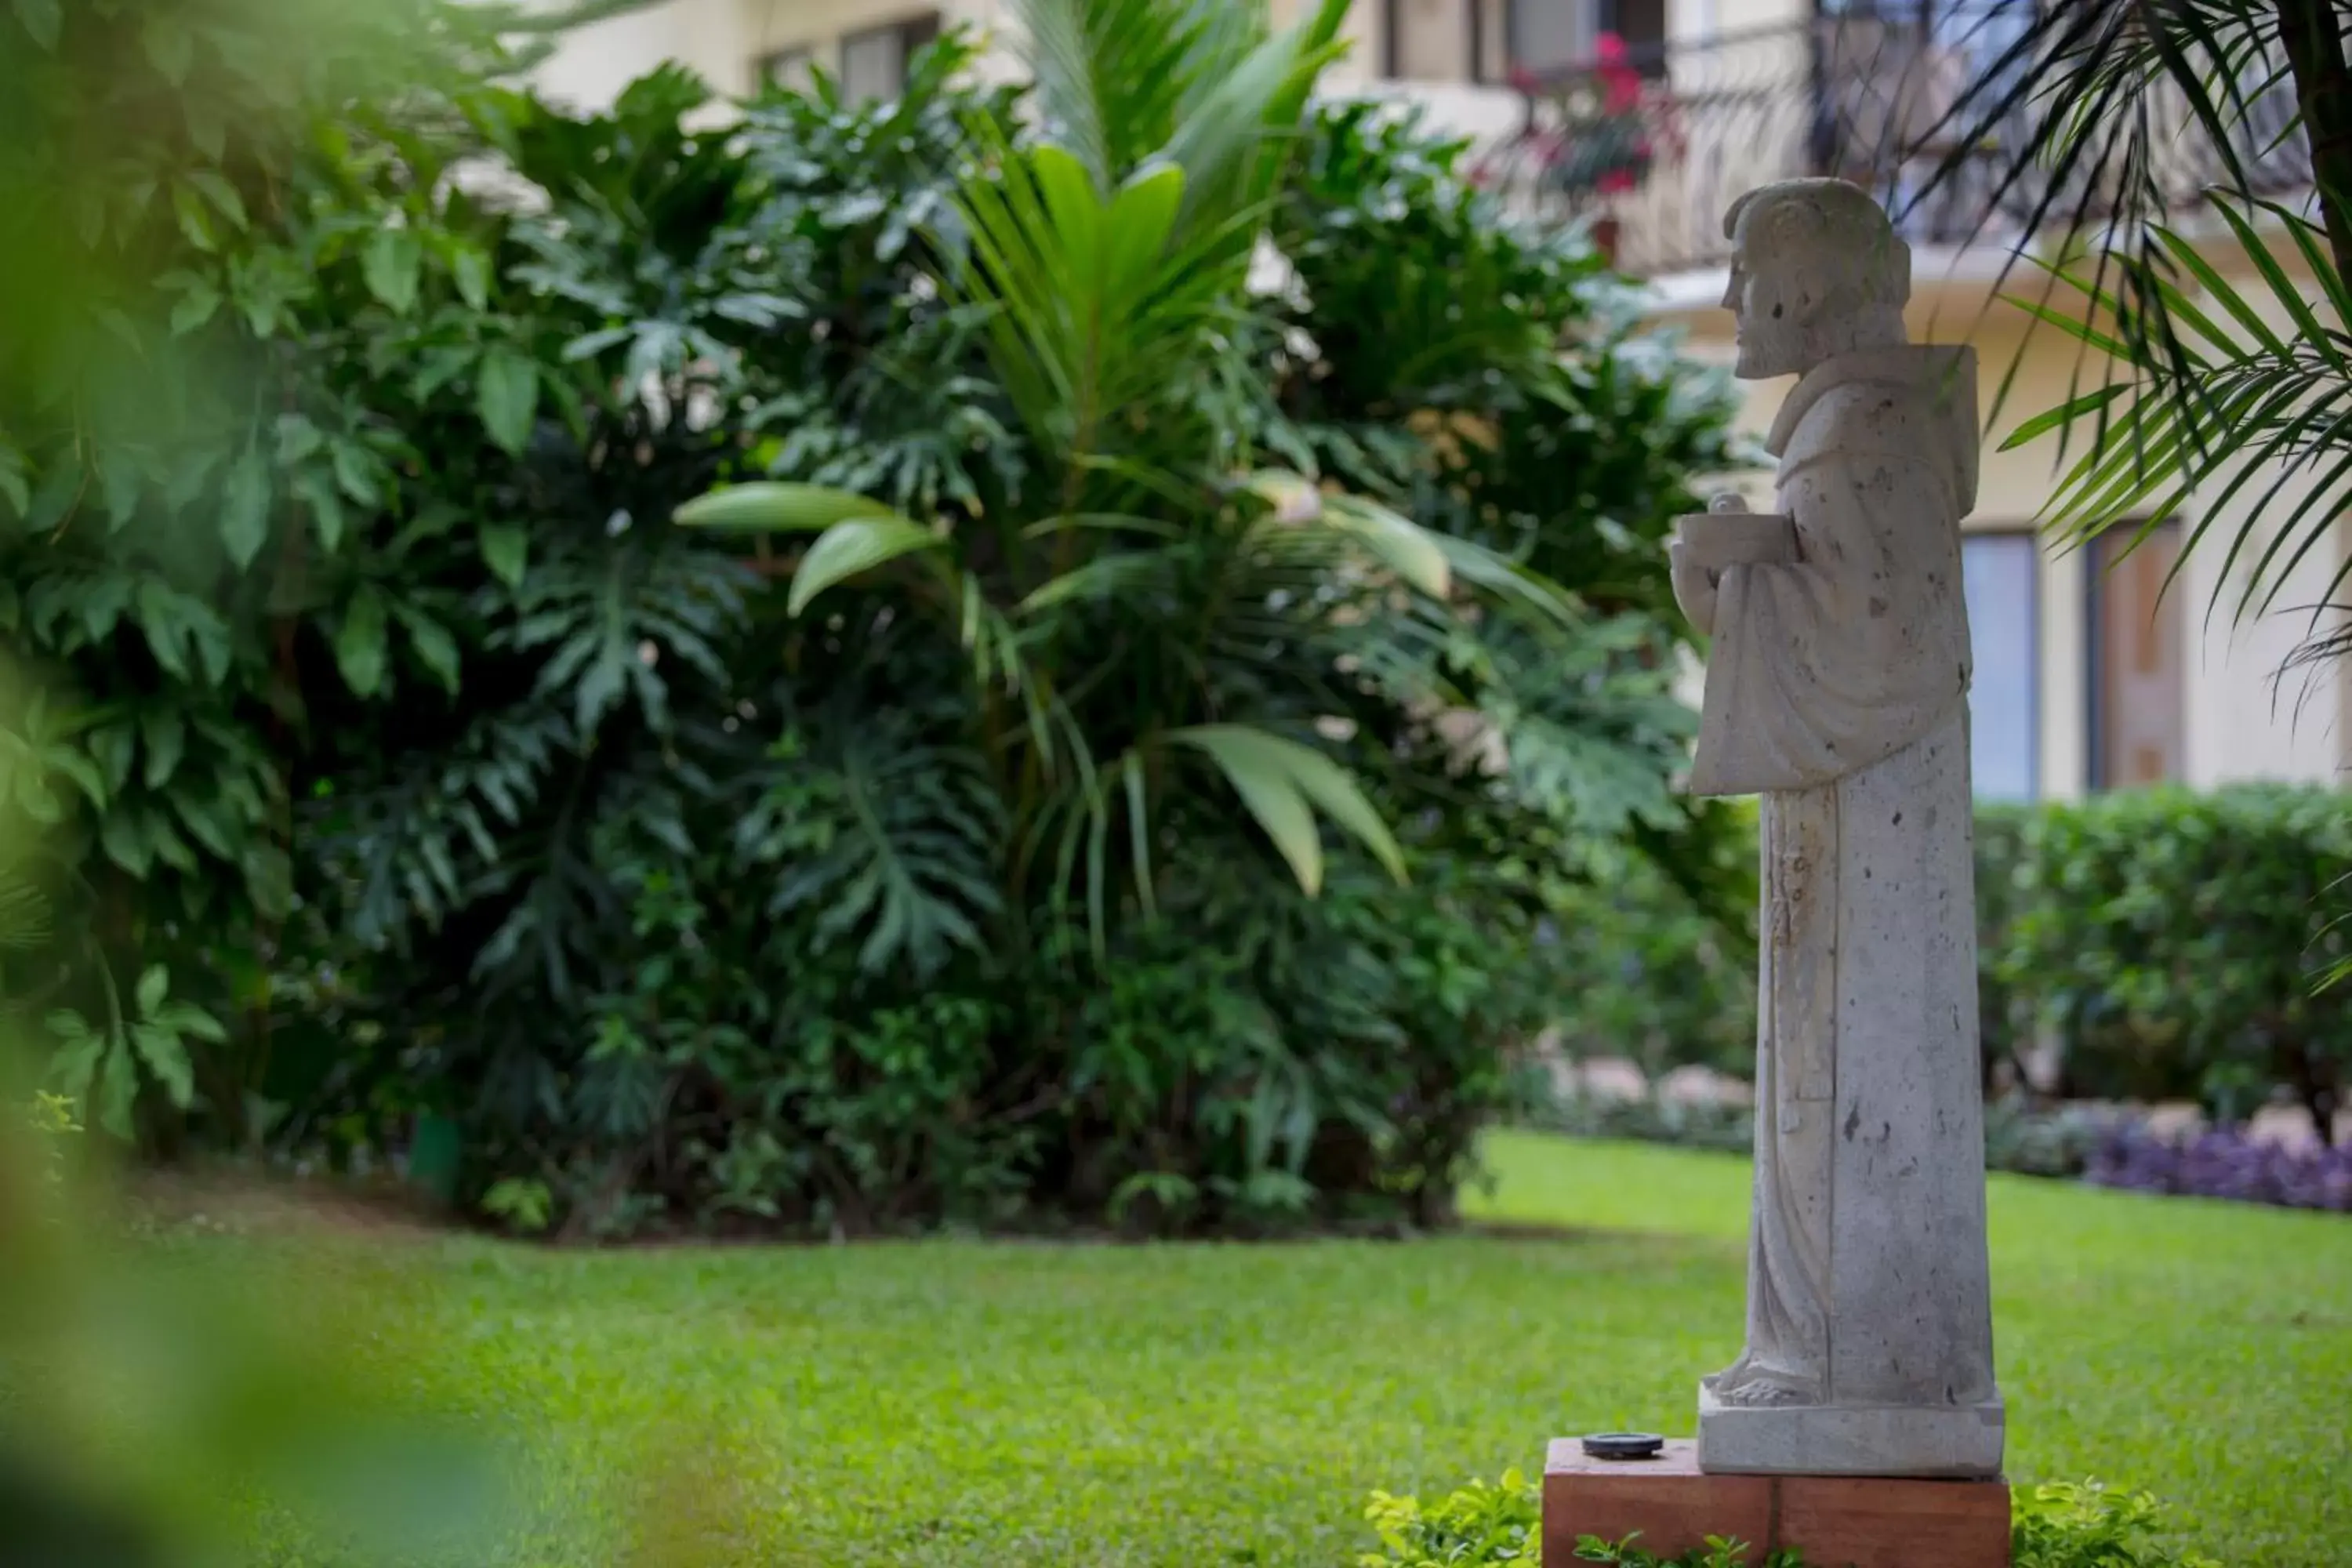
(1838, 1522)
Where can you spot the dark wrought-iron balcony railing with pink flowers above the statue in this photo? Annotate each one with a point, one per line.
(1657, 142)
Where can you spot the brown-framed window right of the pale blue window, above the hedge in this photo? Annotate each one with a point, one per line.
(2139, 697)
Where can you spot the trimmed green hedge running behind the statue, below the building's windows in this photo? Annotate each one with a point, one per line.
(2179, 949)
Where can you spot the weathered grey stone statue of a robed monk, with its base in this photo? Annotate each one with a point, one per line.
(1838, 690)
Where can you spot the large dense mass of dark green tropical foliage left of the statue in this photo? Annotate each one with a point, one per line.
(1161, 793)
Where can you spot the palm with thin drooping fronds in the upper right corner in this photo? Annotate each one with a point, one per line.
(2233, 391)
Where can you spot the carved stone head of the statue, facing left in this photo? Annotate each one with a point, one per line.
(1817, 272)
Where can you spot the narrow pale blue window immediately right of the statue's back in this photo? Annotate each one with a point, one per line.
(2000, 579)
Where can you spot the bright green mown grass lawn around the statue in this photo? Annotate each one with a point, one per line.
(1013, 1405)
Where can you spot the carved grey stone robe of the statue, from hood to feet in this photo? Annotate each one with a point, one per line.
(1838, 690)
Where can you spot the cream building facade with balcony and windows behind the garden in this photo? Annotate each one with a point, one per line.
(1648, 119)
